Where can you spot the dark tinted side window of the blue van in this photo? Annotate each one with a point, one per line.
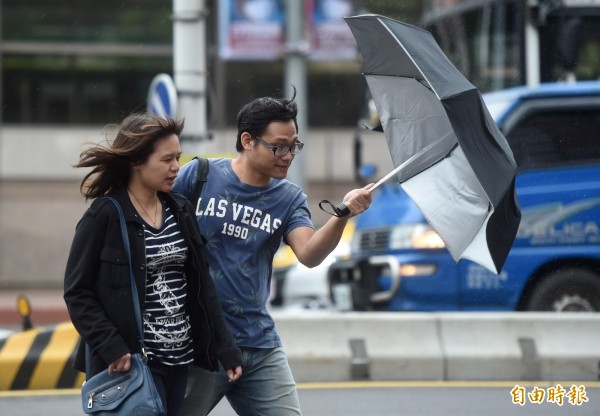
(553, 137)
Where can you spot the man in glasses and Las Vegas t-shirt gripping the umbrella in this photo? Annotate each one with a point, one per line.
(246, 208)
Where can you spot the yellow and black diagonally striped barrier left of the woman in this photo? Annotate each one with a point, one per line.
(40, 358)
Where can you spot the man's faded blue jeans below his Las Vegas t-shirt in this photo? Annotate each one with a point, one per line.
(266, 388)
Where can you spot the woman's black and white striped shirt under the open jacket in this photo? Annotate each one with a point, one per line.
(167, 331)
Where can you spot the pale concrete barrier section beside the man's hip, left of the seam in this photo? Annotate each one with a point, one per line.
(378, 346)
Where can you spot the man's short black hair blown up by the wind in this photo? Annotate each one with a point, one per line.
(255, 116)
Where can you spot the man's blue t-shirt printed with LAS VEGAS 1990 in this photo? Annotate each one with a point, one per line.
(244, 226)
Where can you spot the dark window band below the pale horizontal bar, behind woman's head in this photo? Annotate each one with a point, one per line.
(71, 89)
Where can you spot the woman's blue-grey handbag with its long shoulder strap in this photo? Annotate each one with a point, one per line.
(130, 393)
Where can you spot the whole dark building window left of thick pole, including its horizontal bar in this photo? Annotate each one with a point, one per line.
(81, 62)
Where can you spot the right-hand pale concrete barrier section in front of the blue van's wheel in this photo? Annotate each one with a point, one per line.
(521, 346)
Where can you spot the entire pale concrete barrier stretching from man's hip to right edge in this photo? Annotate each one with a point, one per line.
(442, 346)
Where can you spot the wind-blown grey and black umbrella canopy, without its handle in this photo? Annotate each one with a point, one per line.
(450, 156)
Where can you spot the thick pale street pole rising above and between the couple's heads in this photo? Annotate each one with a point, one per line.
(189, 69)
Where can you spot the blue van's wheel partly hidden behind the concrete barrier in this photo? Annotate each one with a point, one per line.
(570, 290)
